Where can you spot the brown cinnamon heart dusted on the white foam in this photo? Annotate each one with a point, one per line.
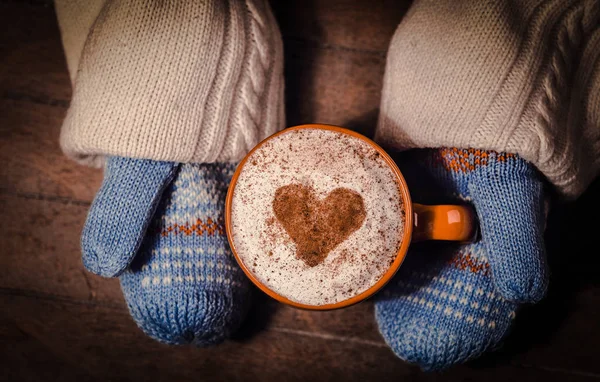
(318, 226)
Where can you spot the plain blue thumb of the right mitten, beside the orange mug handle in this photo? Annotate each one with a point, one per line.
(508, 197)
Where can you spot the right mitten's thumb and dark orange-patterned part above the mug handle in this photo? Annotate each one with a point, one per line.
(508, 196)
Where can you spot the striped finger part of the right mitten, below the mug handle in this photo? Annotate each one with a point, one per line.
(441, 309)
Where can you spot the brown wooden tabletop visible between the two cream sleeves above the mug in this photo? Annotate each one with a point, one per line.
(335, 59)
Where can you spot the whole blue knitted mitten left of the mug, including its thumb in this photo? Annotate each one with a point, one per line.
(159, 225)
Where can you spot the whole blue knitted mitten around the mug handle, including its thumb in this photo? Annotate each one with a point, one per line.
(450, 303)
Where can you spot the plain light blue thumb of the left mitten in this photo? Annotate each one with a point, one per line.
(121, 212)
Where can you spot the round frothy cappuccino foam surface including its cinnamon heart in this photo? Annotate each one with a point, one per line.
(306, 170)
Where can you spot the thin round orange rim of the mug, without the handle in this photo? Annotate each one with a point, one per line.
(400, 255)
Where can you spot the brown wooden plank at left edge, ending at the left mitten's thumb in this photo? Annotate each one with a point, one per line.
(33, 165)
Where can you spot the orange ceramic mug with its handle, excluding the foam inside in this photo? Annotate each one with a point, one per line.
(422, 222)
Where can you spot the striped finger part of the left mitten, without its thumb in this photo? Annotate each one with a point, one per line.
(184, 285)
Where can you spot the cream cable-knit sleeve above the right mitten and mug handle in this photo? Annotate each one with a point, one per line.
(518, 76)
